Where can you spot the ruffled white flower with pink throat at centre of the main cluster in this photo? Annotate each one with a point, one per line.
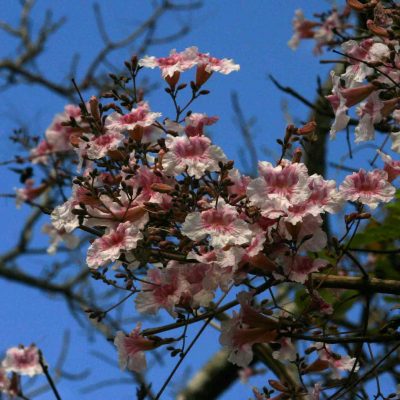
(222, 223)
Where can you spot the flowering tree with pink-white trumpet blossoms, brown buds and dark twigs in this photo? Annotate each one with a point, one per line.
(296, 271)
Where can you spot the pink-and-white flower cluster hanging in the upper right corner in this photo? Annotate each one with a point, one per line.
(371, 76)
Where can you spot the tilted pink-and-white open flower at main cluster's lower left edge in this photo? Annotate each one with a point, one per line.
(111, 245)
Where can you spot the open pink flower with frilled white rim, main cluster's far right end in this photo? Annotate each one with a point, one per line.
(369, 188)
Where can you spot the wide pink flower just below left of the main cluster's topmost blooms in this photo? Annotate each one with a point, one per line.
(140, 116)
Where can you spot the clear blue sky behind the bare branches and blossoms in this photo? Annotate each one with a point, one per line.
(252, 32)
